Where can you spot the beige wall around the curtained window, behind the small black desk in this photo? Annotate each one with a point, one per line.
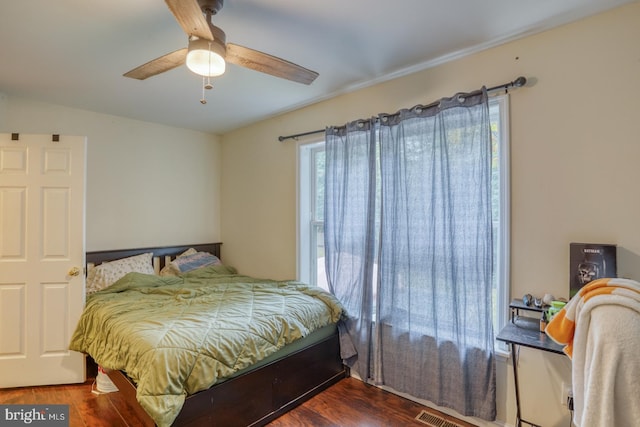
(575, 175)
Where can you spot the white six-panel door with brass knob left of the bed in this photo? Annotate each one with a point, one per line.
(42, 227)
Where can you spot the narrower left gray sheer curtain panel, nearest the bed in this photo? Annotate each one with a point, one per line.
(350, 221)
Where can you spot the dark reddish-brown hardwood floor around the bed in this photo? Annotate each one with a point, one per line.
(349, 403)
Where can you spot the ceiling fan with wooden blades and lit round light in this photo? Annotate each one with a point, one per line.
(208, 50)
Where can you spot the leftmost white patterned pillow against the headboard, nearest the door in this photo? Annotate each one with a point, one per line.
(107, 273)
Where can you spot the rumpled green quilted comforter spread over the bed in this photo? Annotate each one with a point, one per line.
(175, 336)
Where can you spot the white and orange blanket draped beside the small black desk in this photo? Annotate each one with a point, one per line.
(600, 328)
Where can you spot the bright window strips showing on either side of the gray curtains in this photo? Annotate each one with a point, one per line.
(311, 204)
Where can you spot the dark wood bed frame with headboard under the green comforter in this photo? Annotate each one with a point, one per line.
(254, 398)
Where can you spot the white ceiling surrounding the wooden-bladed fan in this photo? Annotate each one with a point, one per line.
(74, 52)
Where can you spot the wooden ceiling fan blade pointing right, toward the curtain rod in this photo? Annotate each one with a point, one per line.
(269, 64)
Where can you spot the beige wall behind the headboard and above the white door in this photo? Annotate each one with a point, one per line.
(147, 184)
